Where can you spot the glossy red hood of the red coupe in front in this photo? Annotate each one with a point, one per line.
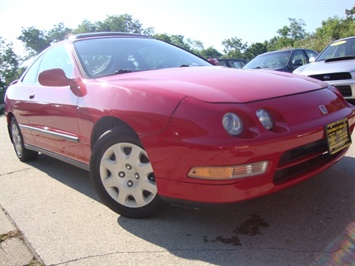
(216, 84)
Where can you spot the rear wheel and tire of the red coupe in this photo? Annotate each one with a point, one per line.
(17, 140)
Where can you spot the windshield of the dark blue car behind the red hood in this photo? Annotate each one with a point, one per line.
(270, 60)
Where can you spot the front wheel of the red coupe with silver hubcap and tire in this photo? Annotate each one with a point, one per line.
(122, 175)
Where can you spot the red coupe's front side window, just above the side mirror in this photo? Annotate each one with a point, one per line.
(57, 57)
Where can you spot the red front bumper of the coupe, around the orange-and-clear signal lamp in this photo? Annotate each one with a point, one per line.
(295, 151)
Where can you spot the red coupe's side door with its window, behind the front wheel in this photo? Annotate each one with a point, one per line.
(52, 112)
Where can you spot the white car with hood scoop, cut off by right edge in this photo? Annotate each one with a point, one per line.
(335, 65)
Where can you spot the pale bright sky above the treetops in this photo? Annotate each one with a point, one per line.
(208, 21)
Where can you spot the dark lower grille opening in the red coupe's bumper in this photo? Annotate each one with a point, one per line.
(302, 159)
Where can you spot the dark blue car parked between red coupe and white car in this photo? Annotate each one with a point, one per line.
(282, 60)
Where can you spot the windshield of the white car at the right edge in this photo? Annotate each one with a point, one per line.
(341, 48)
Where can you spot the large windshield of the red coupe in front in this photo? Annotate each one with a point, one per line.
(110, 56)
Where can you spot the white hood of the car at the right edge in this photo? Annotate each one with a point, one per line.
(322, 67)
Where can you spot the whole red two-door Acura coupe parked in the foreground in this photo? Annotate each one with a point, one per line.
(154, 123)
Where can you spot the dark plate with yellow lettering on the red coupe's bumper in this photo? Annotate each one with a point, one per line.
(338, 136)
